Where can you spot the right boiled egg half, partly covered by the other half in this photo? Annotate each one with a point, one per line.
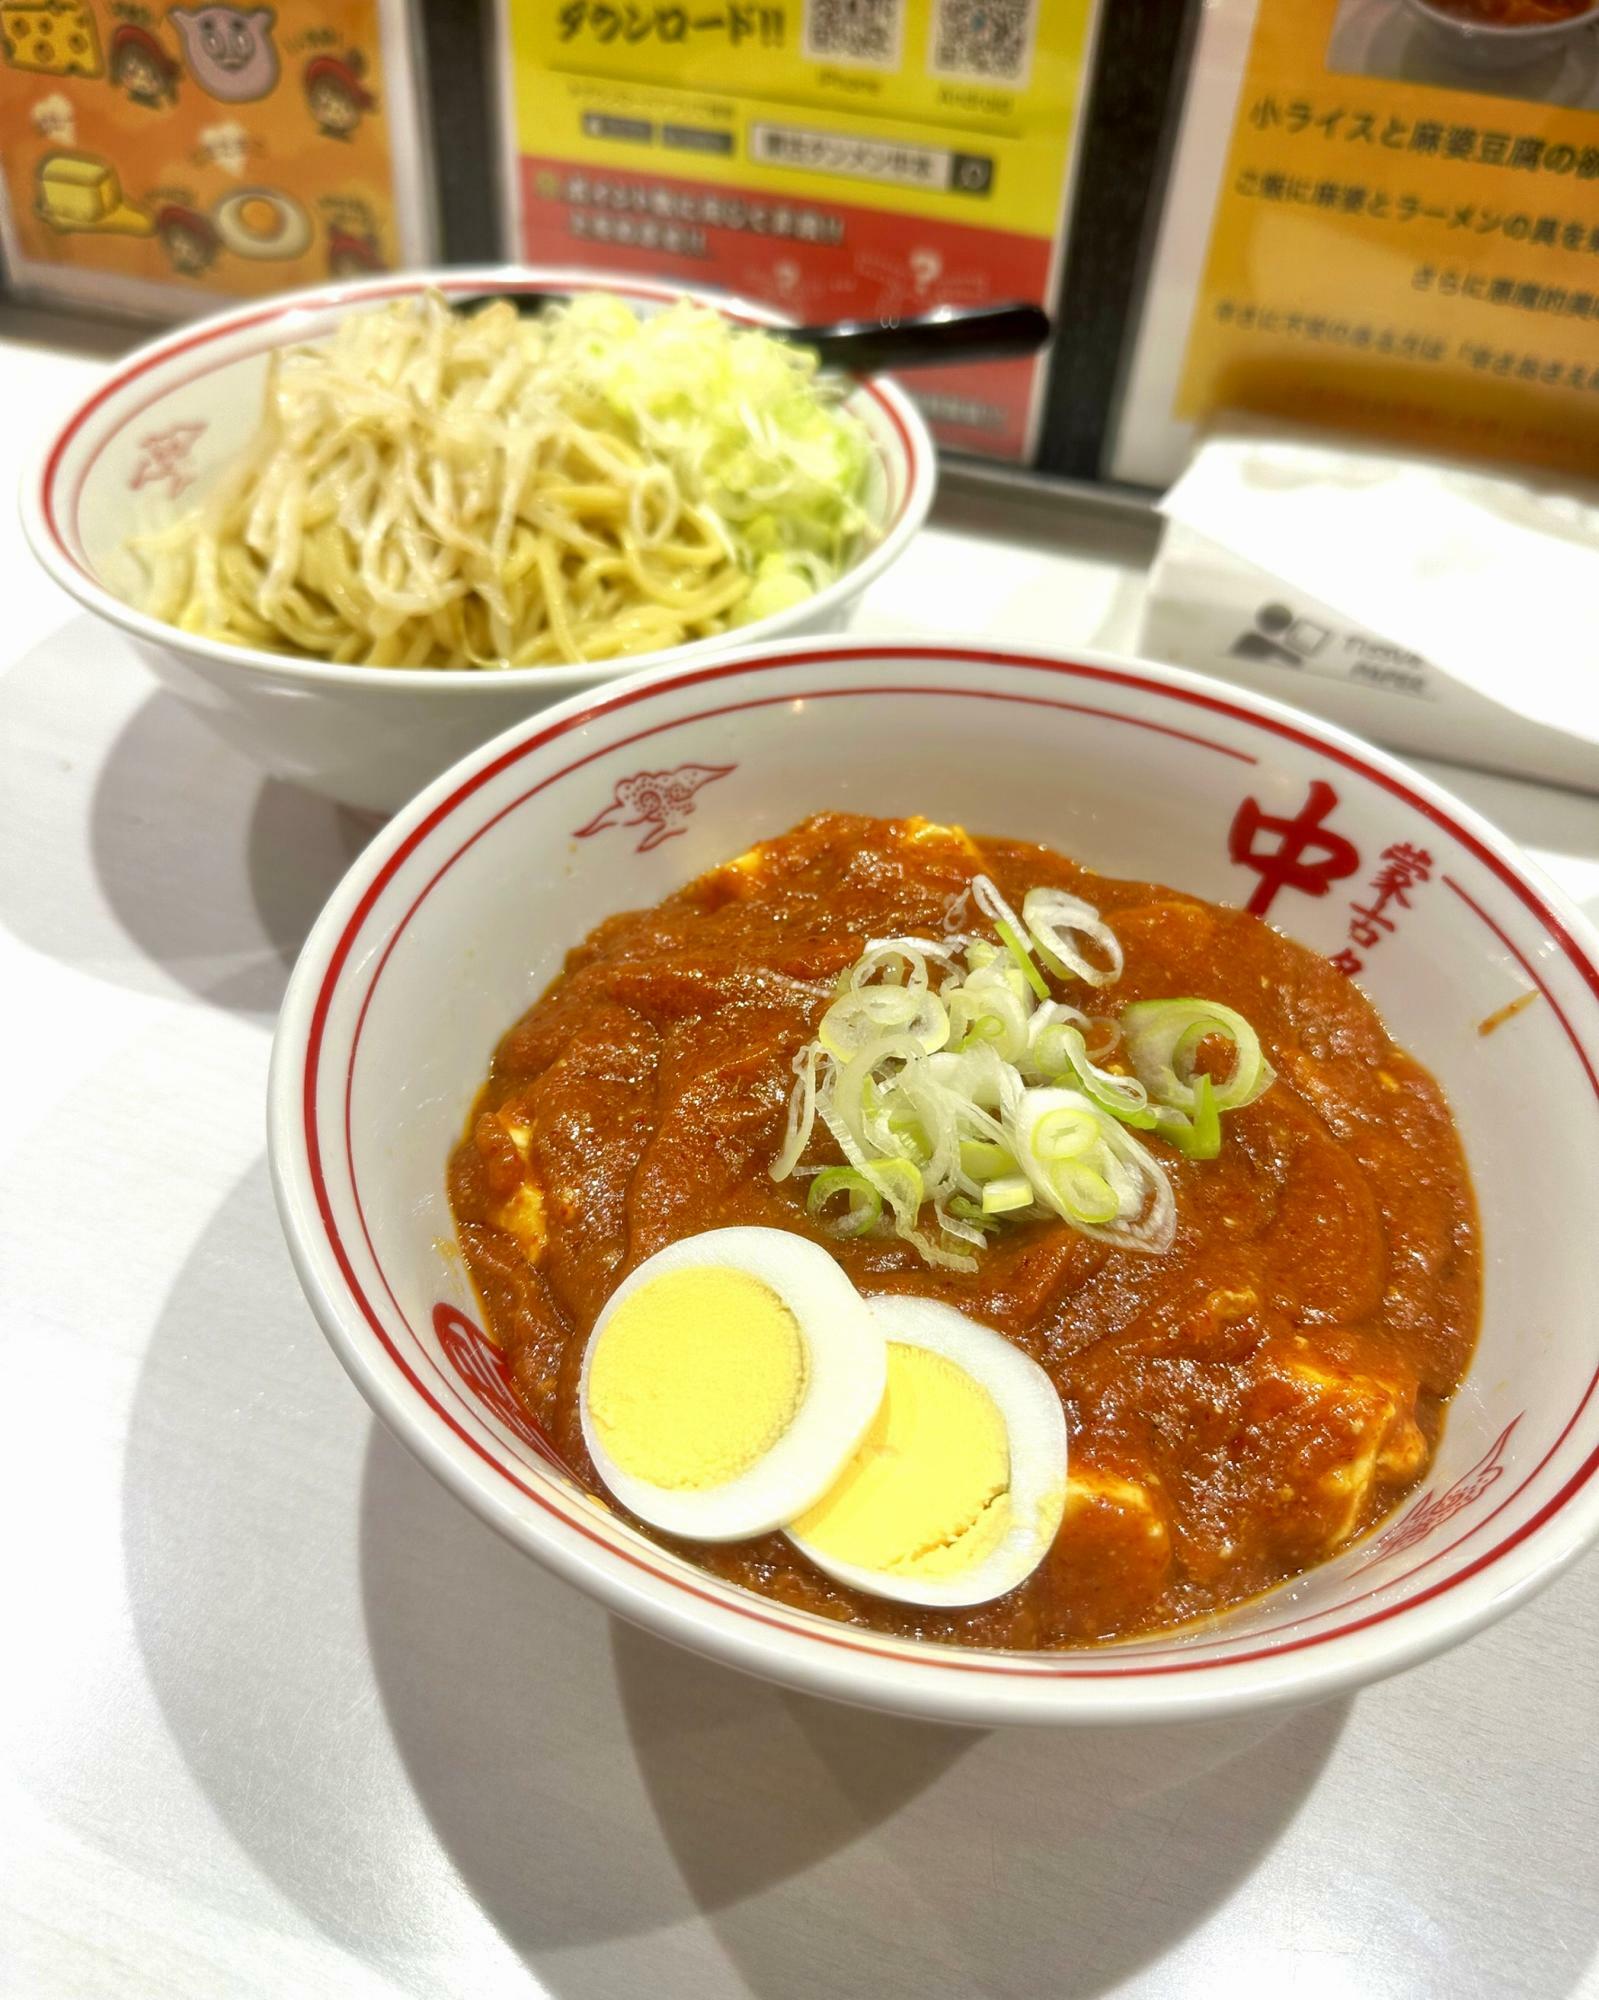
(958, 1487)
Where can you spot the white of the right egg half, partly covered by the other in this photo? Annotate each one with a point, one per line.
(1034, 1419)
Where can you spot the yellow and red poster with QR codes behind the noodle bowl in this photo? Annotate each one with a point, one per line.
(834, 159)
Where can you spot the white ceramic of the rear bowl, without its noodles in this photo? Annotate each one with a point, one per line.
(145, 445)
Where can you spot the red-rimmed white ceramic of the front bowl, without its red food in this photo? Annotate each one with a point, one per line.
(461, 911)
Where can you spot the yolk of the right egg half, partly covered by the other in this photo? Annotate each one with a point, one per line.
(928, 1491)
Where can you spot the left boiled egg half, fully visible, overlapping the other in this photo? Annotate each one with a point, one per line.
(729, 1383)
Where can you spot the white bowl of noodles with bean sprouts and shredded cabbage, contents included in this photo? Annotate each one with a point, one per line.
(369, 527)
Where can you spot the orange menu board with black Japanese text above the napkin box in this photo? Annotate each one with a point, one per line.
(1382, 217)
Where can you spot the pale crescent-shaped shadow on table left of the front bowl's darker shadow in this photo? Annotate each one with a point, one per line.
(241, 1481)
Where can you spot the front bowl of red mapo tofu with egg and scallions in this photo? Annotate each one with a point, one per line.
(992, 1187)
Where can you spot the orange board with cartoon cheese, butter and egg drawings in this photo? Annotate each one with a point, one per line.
(167, 157)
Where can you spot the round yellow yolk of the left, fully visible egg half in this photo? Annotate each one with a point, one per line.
(697, 1377)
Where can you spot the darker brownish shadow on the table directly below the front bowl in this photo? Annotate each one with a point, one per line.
(591, 1801)
